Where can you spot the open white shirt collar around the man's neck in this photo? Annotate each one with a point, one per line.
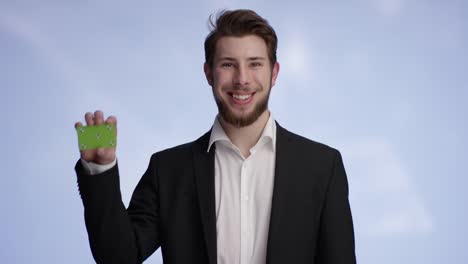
(268, 134)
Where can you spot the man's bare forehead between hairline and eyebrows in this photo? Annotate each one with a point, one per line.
(241, 47)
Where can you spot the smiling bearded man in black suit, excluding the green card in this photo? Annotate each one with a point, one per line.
(247, 191)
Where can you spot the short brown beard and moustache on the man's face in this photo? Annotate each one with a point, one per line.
(245, 119)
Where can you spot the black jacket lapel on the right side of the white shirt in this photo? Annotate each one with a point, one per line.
(279, 202)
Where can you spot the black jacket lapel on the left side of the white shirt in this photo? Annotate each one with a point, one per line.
(204, 174)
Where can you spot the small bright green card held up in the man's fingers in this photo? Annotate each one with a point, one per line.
(100, 136)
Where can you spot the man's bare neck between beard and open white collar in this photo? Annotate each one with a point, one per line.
(246, 137)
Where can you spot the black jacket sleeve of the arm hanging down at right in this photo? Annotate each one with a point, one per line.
(336, 234)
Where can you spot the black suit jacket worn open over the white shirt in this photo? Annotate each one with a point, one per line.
(173, 207)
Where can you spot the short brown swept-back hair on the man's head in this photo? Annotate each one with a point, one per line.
(239, 23)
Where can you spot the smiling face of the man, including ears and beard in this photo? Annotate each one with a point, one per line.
(241, 78)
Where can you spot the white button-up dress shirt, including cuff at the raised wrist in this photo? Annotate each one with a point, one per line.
(243, 193)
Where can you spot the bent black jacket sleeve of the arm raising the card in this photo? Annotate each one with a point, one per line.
(116, 234)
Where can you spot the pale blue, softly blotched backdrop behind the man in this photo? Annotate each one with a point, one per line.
(383, 81)
